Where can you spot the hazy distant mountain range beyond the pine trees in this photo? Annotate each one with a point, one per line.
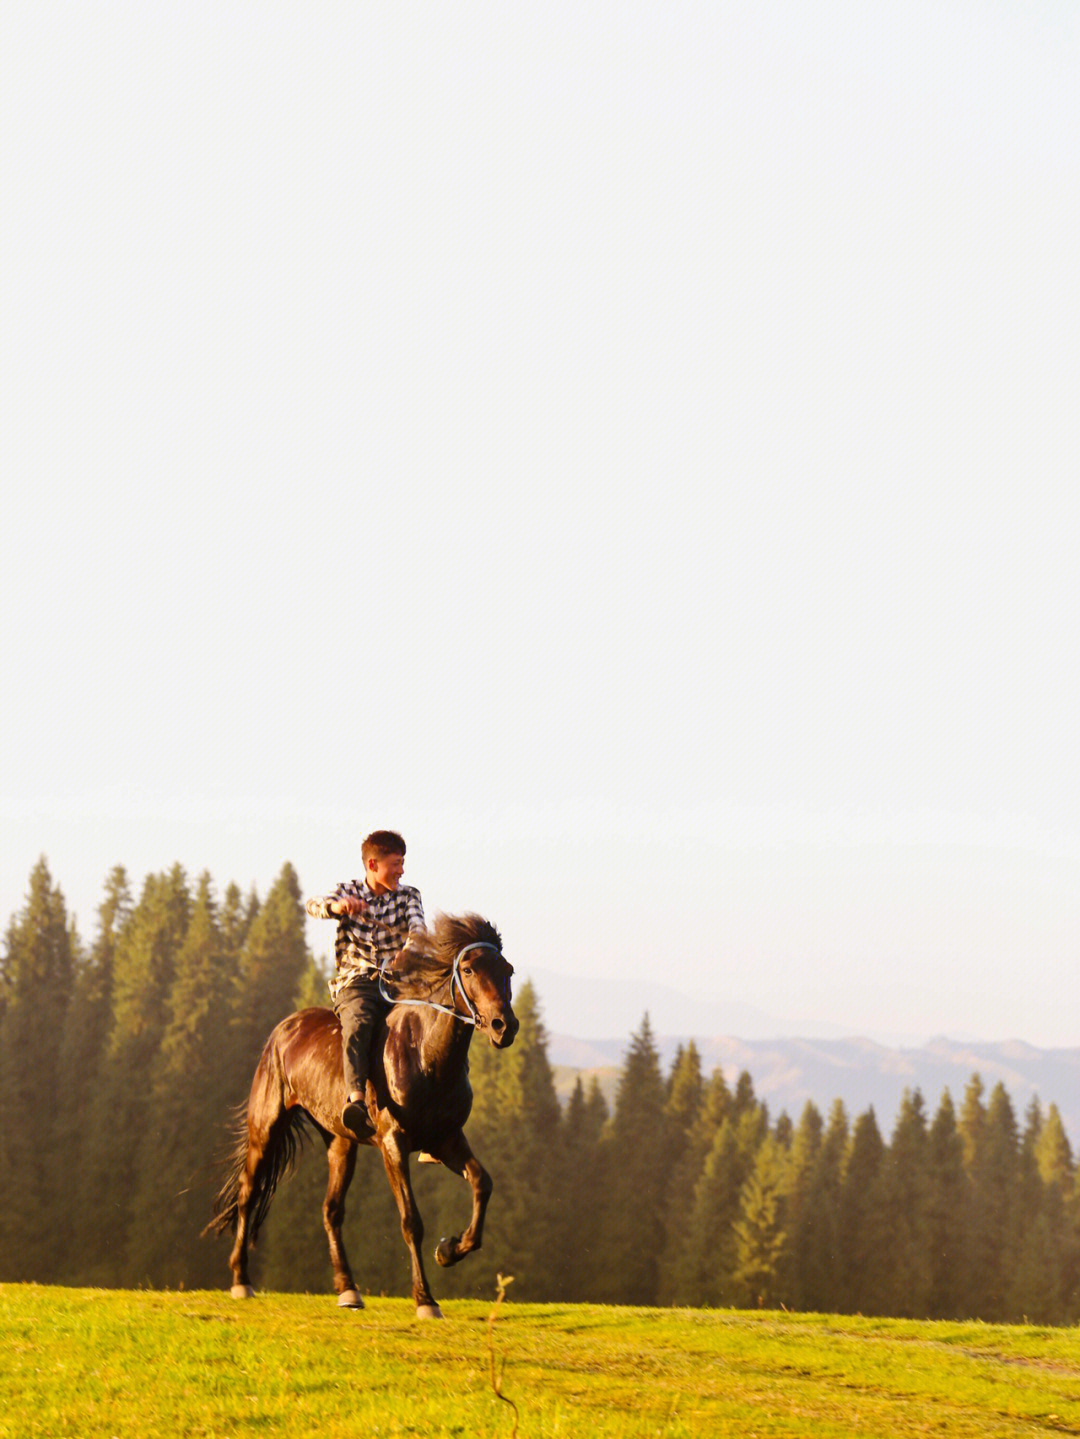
(787, 1073)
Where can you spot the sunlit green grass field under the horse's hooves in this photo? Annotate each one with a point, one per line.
(97, 1365)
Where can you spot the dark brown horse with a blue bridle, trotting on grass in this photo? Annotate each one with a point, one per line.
(451, 982)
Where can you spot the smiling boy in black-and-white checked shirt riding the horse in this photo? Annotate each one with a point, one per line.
(373, 917)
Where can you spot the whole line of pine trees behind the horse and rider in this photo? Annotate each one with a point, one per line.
(123, 1066)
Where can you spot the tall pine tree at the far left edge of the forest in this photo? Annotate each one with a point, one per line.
(40, 968)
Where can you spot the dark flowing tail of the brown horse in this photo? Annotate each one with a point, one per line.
(268, 1140)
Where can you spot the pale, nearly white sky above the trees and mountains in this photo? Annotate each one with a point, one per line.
(632, 450)
